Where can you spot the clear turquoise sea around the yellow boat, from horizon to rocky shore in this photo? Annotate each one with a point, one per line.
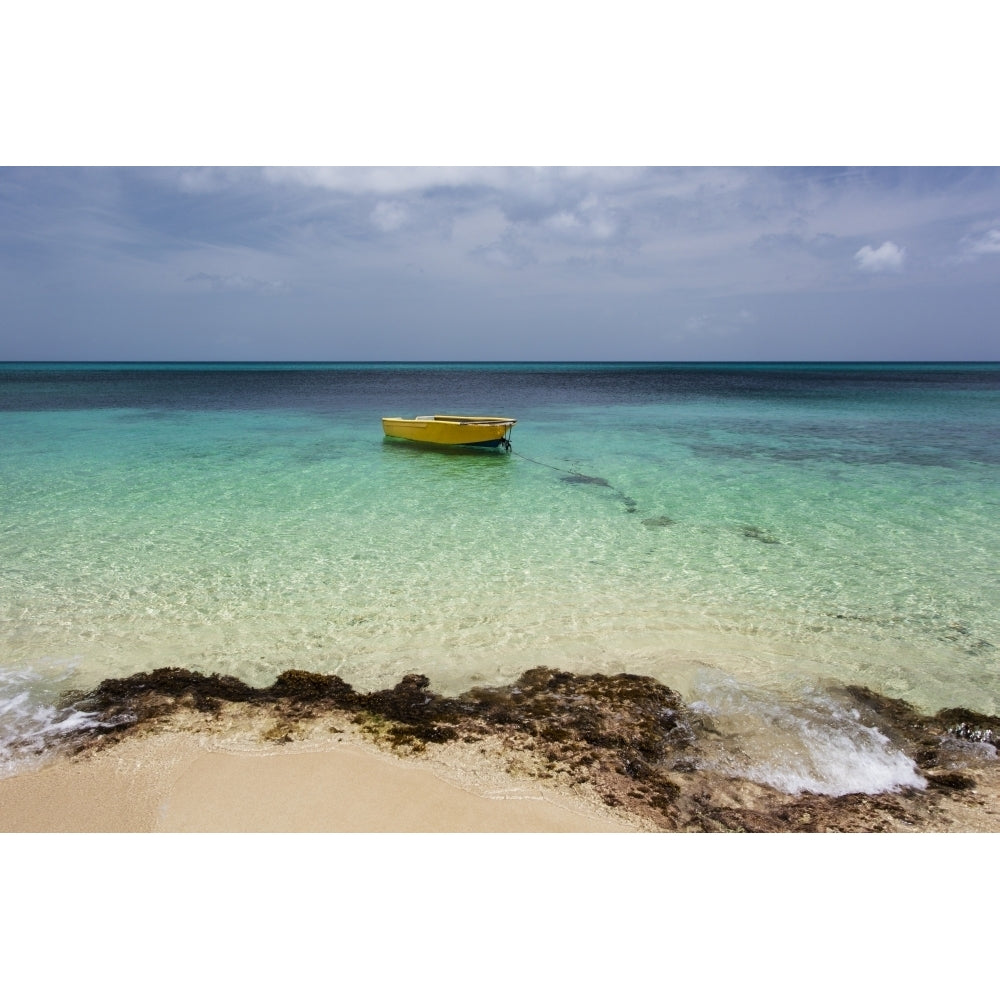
(754, 536)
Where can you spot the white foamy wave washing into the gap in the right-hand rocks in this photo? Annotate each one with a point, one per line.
(809, 743)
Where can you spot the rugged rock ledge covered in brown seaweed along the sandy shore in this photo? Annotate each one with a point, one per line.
(629, 739)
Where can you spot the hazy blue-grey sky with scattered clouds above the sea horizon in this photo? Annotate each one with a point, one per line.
(437, 263)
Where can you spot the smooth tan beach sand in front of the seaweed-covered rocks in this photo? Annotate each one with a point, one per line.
(187, 781)
